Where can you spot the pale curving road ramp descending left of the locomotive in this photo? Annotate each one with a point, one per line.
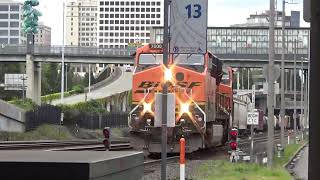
(121, 84)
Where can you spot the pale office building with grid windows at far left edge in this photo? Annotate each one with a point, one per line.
(11, 31)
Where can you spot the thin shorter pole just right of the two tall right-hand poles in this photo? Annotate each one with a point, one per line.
(295, 90)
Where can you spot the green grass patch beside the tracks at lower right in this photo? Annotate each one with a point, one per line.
(224, 170)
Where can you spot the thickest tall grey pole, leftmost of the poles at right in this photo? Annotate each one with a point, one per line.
(271, 80)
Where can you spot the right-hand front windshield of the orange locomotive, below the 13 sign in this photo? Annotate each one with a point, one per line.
(191, 61)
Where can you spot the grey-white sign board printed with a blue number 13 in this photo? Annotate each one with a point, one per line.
(188, 26)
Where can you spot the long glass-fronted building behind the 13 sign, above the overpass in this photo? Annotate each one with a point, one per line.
(249, 40)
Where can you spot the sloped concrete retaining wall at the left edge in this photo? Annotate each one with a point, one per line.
(12, 118)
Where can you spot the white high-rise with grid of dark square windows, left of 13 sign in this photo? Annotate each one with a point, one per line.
(121, 22)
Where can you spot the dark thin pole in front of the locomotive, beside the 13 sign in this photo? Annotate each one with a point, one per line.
(165, 93)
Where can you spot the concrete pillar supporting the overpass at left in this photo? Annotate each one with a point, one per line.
(33, 71)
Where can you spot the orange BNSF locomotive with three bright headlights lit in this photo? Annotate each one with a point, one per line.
(202, 103)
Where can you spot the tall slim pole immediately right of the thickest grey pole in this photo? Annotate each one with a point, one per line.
(282, 108)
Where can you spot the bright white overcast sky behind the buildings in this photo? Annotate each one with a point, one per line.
(221, 13)
